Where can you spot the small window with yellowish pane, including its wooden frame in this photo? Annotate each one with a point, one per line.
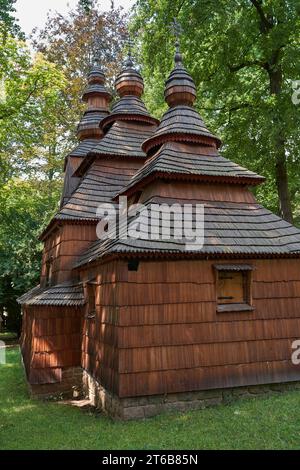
(233, 288)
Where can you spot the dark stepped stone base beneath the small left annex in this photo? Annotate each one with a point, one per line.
(69, 387)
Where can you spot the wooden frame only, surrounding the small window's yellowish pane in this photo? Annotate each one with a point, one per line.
(246, 271)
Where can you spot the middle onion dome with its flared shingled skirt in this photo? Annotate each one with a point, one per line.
(129, 86)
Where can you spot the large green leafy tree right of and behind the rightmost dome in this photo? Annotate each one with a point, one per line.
(243, 56)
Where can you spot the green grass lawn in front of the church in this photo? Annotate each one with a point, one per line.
(258, 423)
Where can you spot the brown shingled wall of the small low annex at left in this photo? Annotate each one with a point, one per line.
(50, 341)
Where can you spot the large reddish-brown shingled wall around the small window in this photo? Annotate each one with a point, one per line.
(171, 339)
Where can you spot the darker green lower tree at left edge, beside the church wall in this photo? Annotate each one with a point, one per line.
(25, 207)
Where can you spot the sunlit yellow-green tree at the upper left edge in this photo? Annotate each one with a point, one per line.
(30, 99)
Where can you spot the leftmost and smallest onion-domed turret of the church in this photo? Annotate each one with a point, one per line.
(97, 98)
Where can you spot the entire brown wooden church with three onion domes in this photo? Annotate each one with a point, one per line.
(144, 325)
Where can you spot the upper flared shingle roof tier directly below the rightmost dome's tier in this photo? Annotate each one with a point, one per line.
(175, 160)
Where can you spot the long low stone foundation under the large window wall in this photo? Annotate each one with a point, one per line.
(148, 406)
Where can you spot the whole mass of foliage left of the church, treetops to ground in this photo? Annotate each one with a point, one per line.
(40, 106)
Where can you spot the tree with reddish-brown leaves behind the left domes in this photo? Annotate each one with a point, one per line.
(71, 43)
